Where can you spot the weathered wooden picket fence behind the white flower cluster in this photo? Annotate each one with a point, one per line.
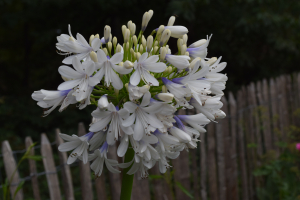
(258, 118)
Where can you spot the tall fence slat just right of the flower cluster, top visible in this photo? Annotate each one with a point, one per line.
(232, 189)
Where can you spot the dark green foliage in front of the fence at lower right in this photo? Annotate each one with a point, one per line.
(279, 178)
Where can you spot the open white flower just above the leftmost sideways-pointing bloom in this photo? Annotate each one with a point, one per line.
(80, 77)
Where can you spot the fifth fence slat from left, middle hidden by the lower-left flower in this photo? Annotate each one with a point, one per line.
(85, 172)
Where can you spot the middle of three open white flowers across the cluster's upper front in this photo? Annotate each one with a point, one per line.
(108, 65)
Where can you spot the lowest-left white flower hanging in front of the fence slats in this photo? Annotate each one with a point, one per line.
(79, 144)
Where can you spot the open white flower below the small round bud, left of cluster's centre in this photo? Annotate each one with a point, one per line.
(113, 116)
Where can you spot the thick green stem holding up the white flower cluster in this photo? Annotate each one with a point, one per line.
(127, 180)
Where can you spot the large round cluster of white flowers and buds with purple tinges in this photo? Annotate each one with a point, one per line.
(137, 89)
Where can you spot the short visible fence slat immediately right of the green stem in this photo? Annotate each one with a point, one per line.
(140, 188)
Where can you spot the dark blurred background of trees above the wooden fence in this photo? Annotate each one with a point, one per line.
(257, 38)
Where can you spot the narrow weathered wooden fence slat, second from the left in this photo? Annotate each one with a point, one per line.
(33, 171)
